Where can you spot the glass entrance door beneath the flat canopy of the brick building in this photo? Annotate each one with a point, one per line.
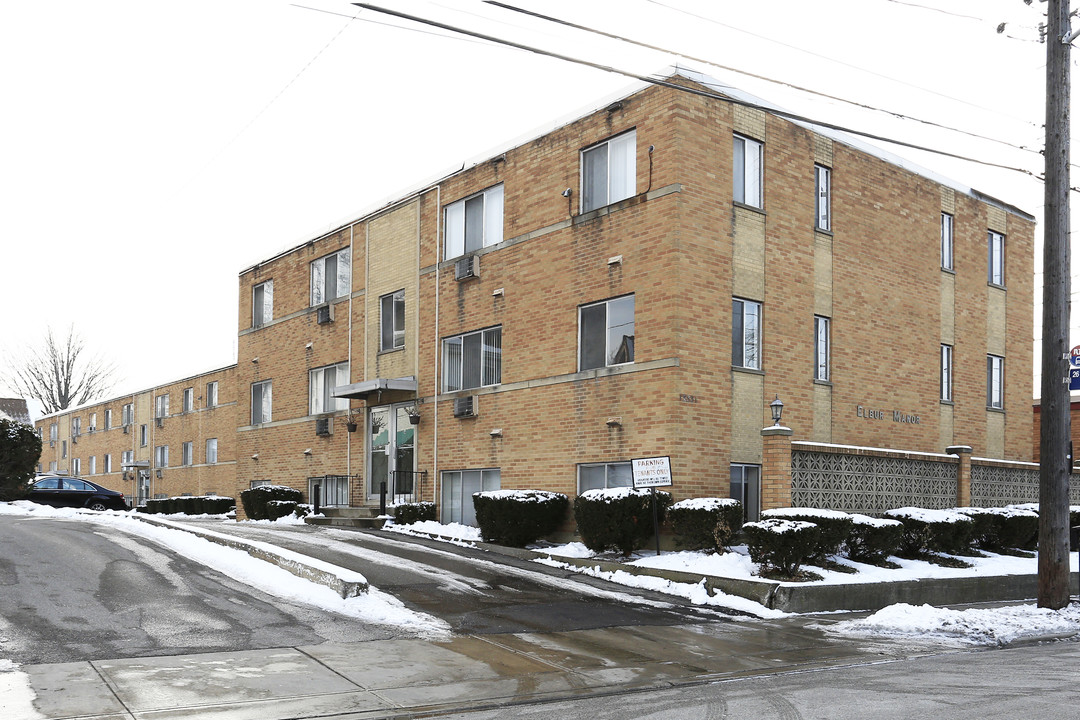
(391, 453)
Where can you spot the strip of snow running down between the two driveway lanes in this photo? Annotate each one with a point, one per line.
(372, 607)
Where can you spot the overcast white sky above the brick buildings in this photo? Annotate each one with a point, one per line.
(152, 152)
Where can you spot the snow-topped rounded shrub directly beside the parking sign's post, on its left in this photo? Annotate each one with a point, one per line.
(618, 518)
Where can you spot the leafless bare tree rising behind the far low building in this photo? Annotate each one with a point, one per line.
(61, 375)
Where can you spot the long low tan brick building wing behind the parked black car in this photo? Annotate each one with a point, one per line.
(172, 440)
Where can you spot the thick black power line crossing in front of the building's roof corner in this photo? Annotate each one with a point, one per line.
(693, 91)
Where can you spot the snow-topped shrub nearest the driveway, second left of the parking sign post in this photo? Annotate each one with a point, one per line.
(519, 518)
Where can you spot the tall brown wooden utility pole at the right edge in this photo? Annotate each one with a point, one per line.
(1056, 465)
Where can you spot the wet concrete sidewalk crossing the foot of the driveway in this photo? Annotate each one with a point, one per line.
(390, 678)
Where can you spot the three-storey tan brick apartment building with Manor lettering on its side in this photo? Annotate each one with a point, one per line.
(643, 281)
